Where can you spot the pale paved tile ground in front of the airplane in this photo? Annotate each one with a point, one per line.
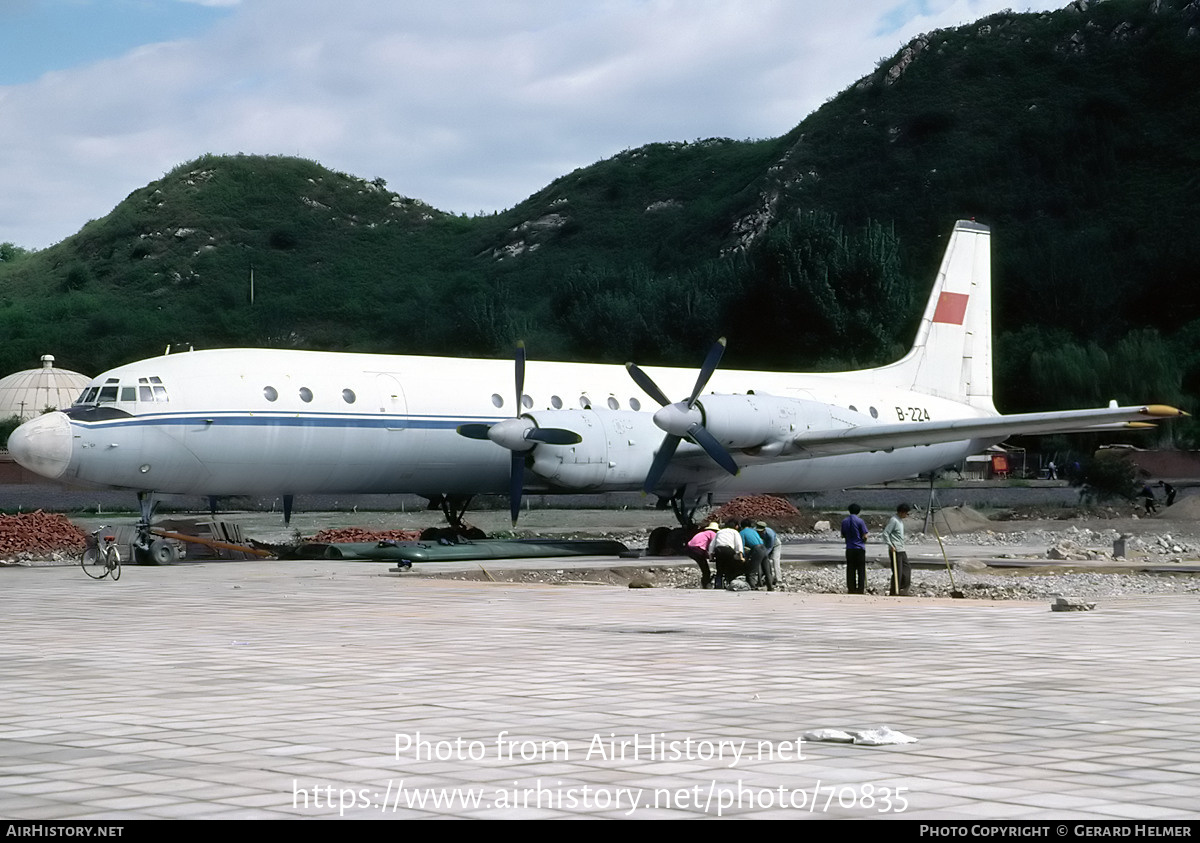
(271, 690)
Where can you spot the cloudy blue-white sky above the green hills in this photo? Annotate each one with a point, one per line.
(469, 105)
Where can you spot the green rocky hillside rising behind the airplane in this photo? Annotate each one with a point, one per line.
(1071, 133)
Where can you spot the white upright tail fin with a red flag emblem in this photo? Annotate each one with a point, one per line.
(952, 355)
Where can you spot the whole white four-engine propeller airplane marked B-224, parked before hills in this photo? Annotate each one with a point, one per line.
(285, 422)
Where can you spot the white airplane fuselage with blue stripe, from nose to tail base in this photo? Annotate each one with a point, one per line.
(267, 422)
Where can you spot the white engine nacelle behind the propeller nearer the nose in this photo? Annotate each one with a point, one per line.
(616, 451)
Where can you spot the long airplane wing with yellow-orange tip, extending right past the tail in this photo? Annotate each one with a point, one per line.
(997, 429)
